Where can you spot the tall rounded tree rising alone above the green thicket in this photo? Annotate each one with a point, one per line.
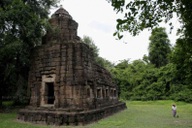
(159, 47)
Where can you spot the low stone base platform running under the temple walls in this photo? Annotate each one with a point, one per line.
(61, 117)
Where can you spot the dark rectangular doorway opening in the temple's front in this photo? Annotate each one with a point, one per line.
(50, 93)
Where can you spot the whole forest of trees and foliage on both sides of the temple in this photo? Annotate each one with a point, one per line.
(165, 73)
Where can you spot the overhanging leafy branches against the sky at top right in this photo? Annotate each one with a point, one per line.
(141, 14)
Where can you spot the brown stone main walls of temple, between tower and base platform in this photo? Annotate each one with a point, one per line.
(77, 77)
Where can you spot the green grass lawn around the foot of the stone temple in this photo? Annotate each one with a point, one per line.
(149, 114)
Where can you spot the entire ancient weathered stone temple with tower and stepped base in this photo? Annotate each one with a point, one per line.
(66, 86)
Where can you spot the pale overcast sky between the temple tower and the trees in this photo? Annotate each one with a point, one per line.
(97, 20)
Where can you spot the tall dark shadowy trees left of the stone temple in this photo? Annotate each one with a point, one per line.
(22, 24)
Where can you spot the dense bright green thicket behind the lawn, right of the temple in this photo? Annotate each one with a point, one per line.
(141, 81)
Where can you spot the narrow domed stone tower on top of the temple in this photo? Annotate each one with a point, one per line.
(63, 28)
